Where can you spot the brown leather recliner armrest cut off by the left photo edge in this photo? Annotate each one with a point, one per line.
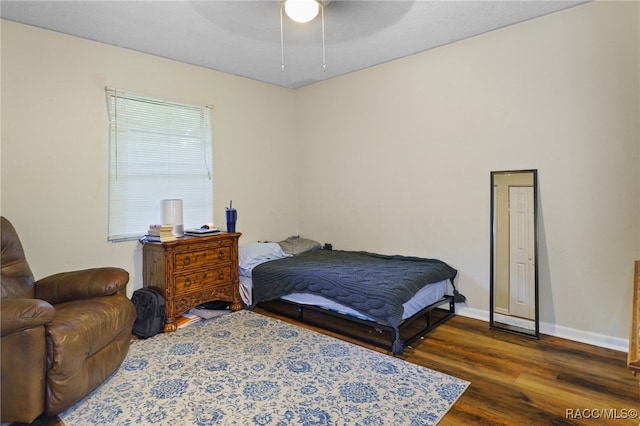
(21, 314)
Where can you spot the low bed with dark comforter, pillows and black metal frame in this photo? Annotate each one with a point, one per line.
(388, 301)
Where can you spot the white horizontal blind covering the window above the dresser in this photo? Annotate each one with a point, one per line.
(158, 150)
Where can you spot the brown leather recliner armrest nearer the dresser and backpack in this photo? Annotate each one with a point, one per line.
(84, 284)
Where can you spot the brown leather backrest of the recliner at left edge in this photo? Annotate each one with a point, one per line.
(16, 278)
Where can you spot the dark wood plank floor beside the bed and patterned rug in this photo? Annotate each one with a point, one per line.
(521, 381)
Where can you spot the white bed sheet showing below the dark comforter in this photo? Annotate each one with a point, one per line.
(426, 296)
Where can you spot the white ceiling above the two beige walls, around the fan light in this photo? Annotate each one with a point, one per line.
(243, 37)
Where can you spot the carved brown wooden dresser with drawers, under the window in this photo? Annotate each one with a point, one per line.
(191, 271)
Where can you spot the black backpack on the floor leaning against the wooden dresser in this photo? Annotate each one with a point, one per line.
(151, 314)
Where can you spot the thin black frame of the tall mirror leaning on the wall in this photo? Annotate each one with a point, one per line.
(493, 324)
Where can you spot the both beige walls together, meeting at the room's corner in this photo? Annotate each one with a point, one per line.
(394, 159)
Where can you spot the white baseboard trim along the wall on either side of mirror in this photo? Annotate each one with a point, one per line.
(595, 339)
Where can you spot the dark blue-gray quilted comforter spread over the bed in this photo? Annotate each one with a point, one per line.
(375, 285)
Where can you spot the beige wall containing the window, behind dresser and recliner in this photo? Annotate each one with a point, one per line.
(55, 145)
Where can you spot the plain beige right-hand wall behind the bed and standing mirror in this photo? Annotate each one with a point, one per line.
(397, 158)
